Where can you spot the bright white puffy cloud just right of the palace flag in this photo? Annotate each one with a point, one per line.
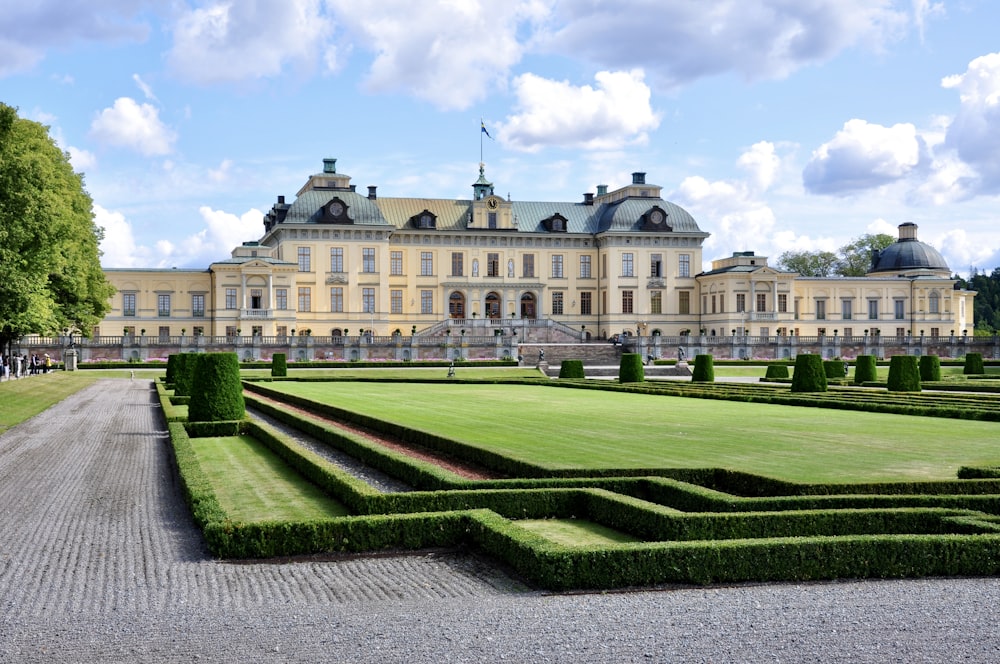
(614, 113)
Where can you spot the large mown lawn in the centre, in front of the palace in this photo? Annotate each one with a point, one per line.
(566, 428)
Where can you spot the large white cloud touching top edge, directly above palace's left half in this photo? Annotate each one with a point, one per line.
(448, 53)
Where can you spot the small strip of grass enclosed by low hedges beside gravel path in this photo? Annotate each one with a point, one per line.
(252, 484)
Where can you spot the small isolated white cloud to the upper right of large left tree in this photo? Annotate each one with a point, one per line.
(135, 126)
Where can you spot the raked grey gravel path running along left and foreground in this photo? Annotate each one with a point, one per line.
(99, 562)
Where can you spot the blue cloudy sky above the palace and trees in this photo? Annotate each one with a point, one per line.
(779, 124)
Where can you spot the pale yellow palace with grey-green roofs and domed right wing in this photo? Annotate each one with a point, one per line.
(337, 263)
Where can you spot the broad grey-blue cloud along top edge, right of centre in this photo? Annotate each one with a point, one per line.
(762, 39)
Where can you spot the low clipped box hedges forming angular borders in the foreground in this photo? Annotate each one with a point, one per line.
(776, 531)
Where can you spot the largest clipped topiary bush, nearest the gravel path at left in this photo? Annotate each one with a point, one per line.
(216, 393)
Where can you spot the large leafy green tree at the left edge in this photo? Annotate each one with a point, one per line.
(50, 273)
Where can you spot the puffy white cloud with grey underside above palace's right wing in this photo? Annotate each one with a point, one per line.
(862, 156)
